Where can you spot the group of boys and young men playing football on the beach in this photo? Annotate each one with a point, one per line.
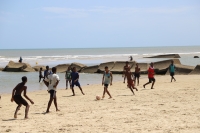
(51, 80)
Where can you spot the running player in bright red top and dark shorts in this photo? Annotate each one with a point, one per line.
(150, 76)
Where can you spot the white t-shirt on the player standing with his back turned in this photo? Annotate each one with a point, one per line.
(52, 79)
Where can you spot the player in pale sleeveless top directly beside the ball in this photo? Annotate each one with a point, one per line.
(106, 80)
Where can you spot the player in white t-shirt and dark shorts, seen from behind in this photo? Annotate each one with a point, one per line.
(51, 82)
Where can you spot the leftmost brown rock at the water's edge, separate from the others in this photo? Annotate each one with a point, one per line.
(18, 67)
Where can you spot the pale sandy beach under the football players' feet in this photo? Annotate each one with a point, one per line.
(169, 108)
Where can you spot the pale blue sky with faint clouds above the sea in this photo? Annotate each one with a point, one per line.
(98, 23)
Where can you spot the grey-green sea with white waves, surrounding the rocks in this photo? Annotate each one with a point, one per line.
(87, 56)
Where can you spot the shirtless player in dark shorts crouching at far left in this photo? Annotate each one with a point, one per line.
(16, 96)
